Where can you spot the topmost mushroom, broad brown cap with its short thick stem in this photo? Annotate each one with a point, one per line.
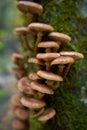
(29, 9)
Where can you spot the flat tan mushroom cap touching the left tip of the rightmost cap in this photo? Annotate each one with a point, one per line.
(47, 56)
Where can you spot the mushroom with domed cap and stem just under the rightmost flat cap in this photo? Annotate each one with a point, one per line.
(61, 61)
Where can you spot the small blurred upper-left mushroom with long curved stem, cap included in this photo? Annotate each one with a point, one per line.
(23, 32)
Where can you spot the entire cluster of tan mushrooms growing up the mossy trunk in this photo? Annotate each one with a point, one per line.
(29, 103)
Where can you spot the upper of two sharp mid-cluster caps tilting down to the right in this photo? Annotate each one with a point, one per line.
(49, 75)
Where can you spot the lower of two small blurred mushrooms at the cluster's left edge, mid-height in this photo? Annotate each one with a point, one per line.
(17, 72)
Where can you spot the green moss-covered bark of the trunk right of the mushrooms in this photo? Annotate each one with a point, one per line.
(65, 16)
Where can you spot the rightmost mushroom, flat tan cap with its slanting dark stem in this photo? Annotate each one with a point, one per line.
(74, 55)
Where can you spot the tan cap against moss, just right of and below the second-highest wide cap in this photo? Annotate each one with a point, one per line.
(59, 37)
